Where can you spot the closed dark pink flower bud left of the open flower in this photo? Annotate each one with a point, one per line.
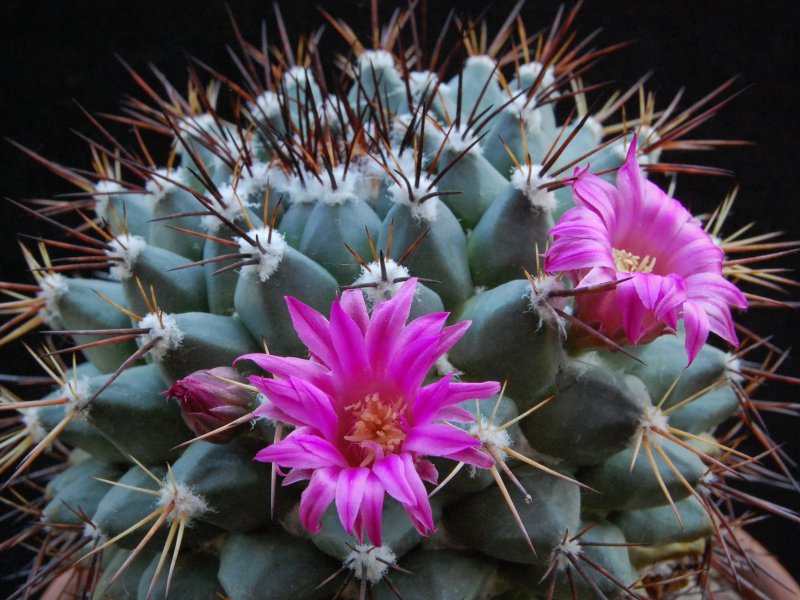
(208, 402)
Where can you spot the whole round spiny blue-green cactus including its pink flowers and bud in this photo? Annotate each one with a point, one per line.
(430, 333)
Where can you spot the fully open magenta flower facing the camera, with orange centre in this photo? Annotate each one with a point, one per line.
(364, 421)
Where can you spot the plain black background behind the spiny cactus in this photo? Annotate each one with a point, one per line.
(54, 54)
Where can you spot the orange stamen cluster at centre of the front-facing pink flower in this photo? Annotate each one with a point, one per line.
(378, 426)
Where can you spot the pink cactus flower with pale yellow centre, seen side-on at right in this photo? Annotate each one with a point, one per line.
(636, 232)
